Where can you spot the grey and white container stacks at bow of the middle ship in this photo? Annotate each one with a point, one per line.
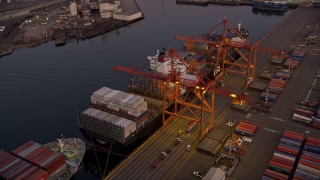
(114, 116)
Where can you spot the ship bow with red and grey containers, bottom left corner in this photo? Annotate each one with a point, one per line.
(55, 160)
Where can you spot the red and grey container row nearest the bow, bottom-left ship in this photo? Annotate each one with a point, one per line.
(41, 156)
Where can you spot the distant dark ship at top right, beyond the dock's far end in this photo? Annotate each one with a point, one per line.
(277, 6)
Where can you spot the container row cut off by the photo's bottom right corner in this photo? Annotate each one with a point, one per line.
(309, 162)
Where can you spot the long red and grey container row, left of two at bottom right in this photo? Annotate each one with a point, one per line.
(282, 164)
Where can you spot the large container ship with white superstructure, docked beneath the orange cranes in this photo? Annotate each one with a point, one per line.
(121, 118)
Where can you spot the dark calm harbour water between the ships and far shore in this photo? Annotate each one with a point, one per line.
(41, 88)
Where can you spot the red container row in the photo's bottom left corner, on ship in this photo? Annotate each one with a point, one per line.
(12, 167)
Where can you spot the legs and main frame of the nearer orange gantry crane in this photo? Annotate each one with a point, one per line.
(200, 88)
